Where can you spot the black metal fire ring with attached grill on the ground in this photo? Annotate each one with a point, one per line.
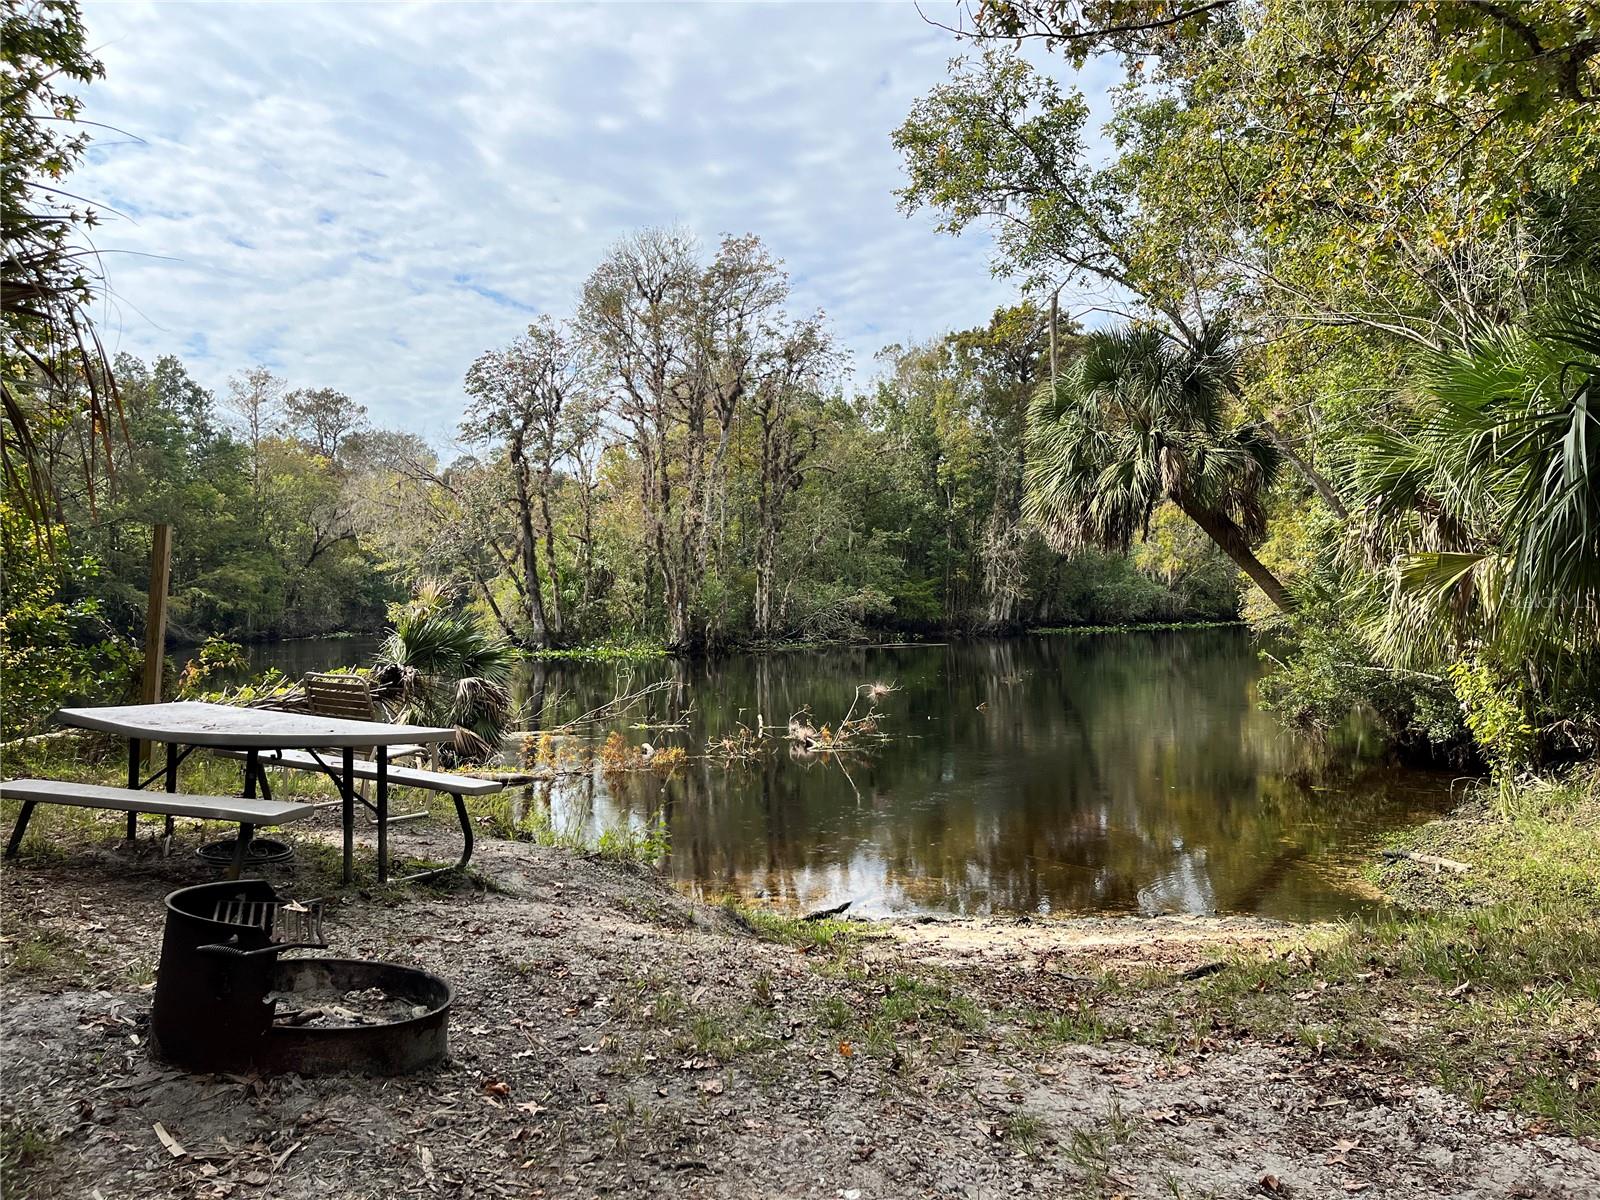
(226, 1001)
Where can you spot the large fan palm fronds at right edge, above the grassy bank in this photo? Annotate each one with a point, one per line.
(1487, 502)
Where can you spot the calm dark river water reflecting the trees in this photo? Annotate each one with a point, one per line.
(1108, 774)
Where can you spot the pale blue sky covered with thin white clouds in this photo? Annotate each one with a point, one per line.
(367, 196)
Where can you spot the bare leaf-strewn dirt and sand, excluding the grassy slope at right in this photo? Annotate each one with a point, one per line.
(612, 1038)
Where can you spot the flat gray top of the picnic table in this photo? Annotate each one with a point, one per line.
(199, 724)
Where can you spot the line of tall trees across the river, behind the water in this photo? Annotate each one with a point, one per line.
(748, 500)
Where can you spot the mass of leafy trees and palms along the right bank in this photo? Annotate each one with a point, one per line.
(1374, 228)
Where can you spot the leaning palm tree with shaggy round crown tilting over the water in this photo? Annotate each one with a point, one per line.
(1138, 420)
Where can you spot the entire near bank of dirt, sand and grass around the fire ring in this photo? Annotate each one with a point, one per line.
(614, 1038)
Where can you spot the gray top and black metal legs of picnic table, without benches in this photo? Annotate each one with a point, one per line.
(263, 737)
